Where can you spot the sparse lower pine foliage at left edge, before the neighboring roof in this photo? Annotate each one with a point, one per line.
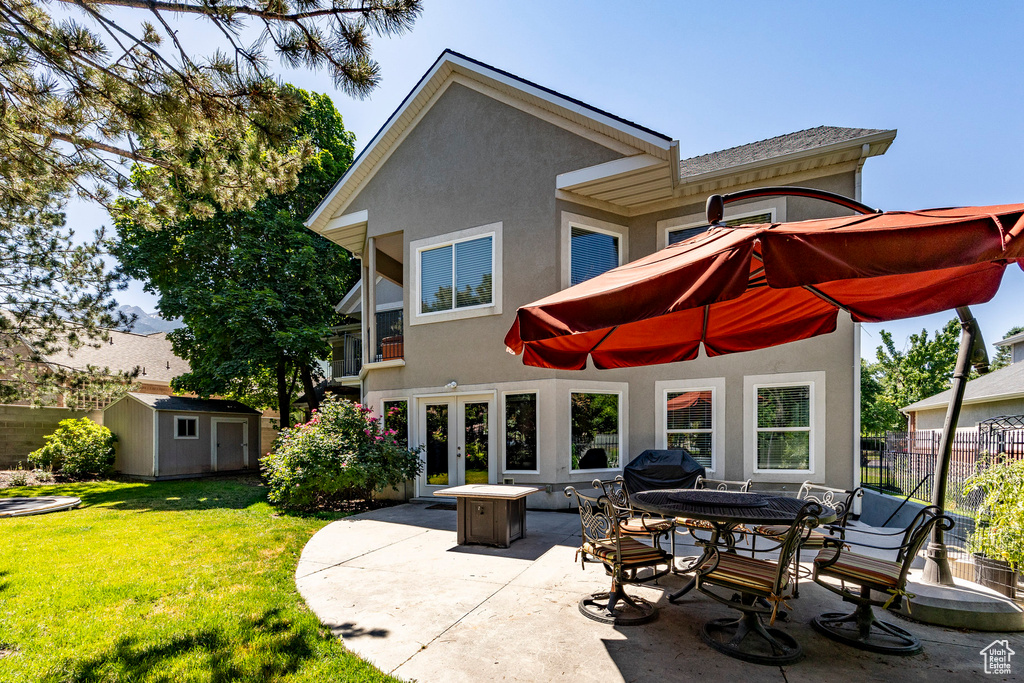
(56, 296)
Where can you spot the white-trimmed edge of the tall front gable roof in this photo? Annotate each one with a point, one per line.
(609, 130)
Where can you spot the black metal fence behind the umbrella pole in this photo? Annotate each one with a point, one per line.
(903, 464)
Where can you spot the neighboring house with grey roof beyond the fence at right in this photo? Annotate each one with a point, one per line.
(996, 395)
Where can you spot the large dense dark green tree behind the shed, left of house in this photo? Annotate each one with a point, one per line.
(255, 289)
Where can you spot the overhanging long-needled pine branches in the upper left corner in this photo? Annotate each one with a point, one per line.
(93, 90)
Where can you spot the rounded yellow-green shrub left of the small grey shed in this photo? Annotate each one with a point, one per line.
(78, 449)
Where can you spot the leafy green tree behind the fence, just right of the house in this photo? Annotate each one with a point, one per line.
(908, 376)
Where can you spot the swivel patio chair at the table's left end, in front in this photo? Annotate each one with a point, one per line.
(623, 557)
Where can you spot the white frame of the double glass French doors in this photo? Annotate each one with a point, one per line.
(457, 461)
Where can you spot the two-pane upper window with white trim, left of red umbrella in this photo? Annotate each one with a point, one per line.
(457, 275)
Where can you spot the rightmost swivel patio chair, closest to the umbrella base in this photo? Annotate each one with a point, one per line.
(887, 578)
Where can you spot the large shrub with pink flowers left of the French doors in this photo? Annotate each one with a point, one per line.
(342, 454)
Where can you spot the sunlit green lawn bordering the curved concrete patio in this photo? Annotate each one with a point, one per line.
(179, 581)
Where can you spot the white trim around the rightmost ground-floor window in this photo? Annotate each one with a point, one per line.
(817, 466)
